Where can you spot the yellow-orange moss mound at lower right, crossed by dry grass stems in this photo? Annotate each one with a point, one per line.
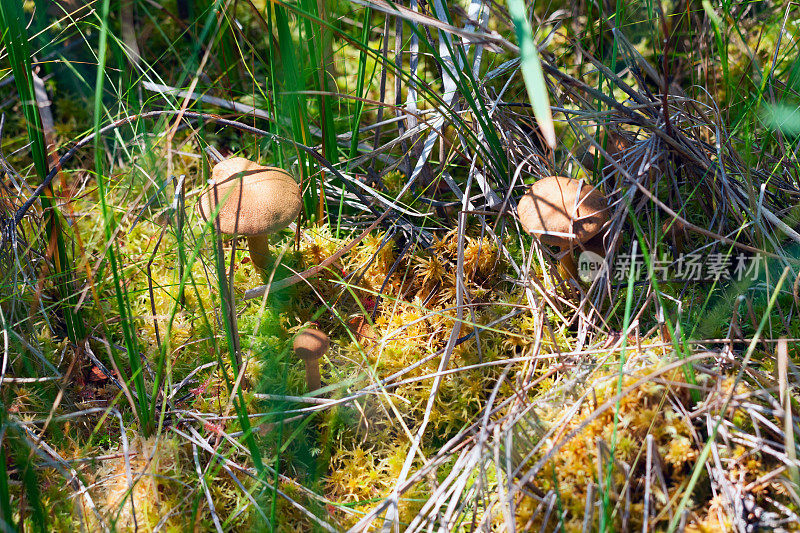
(654, 404)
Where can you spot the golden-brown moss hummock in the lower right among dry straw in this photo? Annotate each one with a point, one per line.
(648, 409)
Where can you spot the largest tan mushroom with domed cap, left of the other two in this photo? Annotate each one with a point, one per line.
(258, 201)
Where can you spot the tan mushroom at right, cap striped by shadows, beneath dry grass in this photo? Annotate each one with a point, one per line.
(565, 213)
